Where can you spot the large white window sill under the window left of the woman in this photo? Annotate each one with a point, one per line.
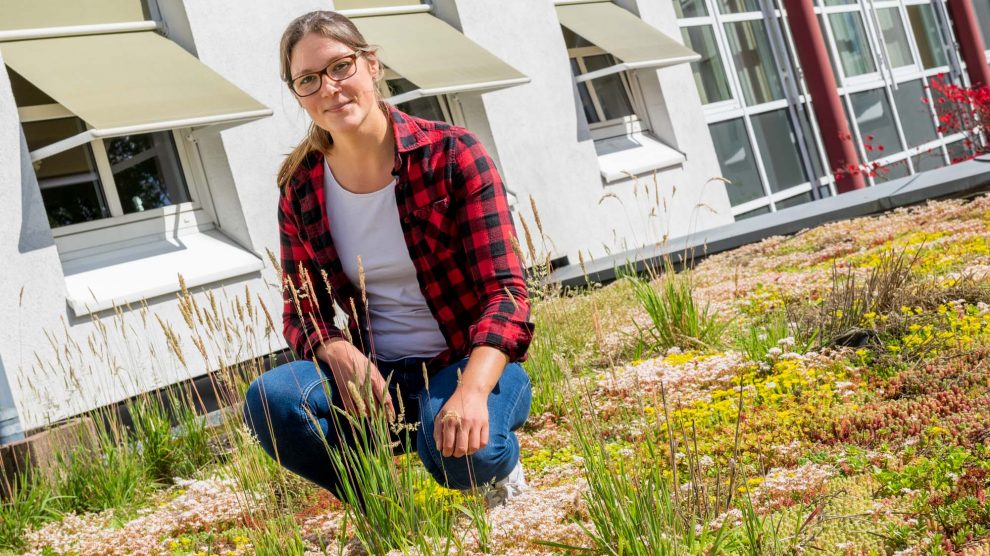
(104, 280)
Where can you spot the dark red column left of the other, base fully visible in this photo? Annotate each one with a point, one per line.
(824, 91)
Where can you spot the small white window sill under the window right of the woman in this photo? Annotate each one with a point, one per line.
(633, 155)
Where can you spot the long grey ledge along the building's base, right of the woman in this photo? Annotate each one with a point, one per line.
(959, 180)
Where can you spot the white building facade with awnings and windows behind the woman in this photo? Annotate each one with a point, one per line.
(140, 142)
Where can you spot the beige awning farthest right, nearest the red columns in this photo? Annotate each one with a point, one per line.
(635, 43)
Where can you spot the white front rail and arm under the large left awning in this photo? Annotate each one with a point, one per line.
(206, 124)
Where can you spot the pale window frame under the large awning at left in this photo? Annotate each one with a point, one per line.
(85, 238)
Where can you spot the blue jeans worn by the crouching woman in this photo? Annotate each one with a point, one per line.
(289, 410)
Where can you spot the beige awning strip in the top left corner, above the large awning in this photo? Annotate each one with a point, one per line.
(33, 14)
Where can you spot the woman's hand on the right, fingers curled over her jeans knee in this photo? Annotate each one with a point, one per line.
(461, 427)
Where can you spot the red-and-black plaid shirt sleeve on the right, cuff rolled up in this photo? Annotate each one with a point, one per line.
(494, 266)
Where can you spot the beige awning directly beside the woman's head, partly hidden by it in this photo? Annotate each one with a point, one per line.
(434, 56)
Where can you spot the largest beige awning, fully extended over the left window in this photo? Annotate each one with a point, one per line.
(124, 83)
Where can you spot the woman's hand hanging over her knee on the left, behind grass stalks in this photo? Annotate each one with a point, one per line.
(351, 371)
